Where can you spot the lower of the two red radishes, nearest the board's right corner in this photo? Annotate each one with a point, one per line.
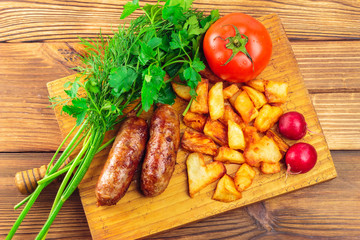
(300, 158)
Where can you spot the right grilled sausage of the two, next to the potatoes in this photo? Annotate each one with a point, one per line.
(160, 157)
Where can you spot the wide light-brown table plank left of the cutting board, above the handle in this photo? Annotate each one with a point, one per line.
(27, 123)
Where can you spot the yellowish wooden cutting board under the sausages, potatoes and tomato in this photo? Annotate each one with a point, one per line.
(136, 216)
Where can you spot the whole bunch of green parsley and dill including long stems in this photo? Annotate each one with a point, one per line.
(118, 70)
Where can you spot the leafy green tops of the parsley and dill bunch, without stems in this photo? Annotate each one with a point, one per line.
(132, 64)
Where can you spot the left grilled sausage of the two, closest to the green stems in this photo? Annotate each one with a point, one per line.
(124, 157)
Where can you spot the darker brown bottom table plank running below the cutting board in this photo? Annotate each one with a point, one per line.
(324, 211)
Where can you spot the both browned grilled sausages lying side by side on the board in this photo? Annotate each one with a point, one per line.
(128, 150)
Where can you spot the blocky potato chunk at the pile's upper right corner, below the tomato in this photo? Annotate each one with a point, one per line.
(276, 92)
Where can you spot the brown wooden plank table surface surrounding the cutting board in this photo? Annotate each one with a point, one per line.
(38, 44)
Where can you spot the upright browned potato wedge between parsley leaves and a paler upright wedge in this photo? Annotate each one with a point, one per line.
(200, 103)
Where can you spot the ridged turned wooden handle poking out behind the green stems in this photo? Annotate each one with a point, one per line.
(26, 181)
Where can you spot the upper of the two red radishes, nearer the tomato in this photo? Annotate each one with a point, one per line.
(292, 125)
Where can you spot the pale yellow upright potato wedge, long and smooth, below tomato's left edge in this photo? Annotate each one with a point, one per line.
(216, 101)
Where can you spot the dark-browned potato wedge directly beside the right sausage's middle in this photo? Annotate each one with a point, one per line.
(194, 141)
